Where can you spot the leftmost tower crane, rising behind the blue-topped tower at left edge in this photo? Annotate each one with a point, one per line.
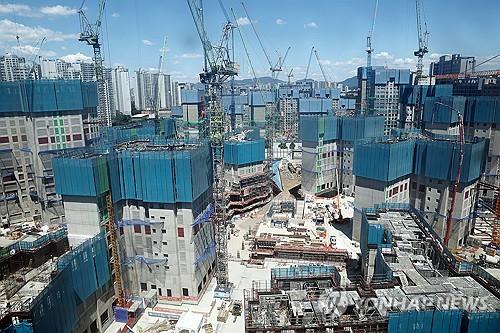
(90, 33)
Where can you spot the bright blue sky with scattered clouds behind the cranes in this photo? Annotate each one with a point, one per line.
(133, 33)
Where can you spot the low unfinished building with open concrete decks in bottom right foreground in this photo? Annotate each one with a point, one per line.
(415, 286)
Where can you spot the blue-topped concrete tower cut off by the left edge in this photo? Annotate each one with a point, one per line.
(36, 118)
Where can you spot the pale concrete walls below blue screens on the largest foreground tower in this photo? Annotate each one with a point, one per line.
(173, 272)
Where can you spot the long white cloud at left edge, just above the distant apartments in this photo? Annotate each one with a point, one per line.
(9, 30)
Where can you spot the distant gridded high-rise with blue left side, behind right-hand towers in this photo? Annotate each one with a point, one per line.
(379, 90)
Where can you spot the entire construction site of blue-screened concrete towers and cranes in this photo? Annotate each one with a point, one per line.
(279, 207)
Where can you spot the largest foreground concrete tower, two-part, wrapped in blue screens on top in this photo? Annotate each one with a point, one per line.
(162, 195)
